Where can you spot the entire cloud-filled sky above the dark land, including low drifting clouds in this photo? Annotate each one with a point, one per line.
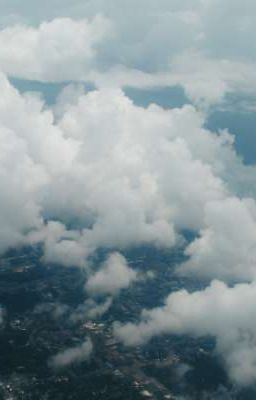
(127, 123)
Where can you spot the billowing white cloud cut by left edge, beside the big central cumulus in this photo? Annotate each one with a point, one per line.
(28, 161)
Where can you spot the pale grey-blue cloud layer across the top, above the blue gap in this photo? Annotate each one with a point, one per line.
(200, 45)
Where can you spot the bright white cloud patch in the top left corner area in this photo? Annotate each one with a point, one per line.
(55, 51)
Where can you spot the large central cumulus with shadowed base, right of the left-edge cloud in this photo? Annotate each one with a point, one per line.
(135, 176)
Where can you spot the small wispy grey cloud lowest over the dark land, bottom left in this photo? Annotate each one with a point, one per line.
(73, 355)
